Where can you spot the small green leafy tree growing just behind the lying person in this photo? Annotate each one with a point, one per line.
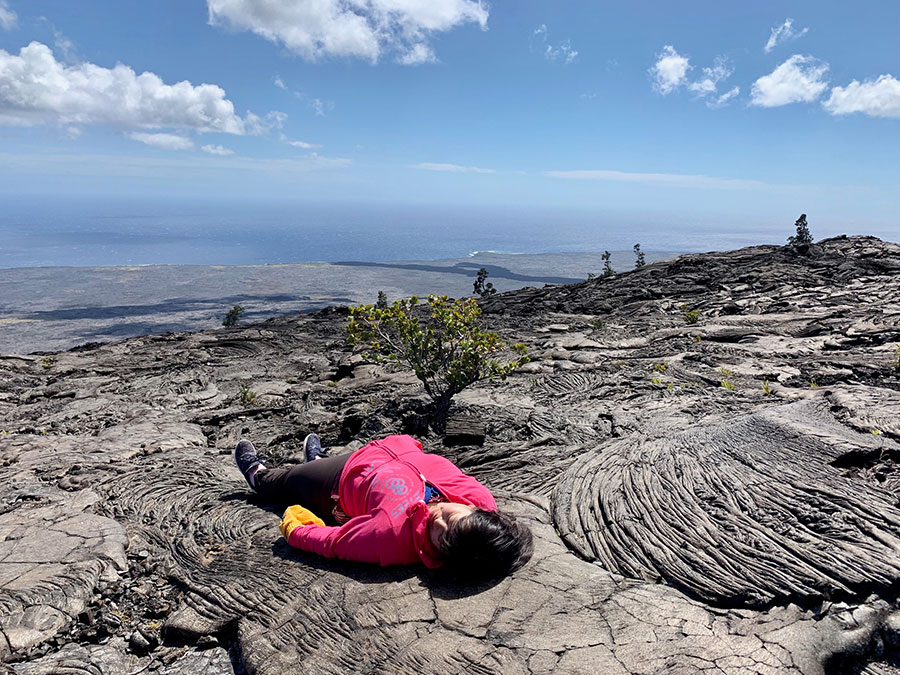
(447, 350)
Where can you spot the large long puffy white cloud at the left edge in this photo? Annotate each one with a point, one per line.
(37, 89)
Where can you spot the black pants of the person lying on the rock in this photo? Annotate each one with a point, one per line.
(311, 485)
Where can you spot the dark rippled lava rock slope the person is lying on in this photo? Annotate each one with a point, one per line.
(715, 495)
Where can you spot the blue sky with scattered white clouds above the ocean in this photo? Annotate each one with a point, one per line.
(688, 111)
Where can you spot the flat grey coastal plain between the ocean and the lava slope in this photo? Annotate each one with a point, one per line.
(47, 309)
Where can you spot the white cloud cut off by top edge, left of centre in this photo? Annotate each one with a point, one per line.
(364, 29)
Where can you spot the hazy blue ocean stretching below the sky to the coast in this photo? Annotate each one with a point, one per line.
(118, 232)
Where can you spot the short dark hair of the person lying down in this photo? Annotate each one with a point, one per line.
(486, 545)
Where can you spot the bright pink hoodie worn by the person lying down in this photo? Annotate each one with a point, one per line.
(381, 489)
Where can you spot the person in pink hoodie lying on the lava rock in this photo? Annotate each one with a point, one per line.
(390, 503)
